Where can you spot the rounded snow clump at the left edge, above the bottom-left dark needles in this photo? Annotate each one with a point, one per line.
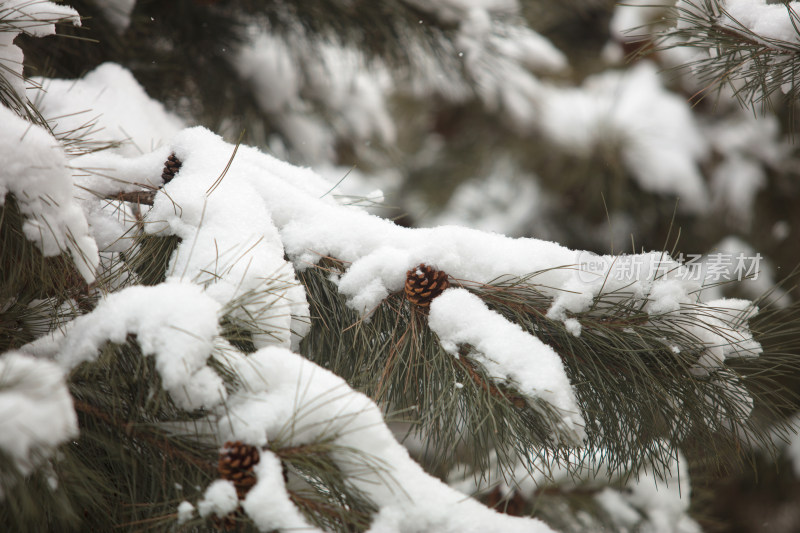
(36, 412)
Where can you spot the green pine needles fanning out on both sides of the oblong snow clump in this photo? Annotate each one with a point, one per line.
(632, 372)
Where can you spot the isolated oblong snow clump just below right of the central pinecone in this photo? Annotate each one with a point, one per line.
(509, 354)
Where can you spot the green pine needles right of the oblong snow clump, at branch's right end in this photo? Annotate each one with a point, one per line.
(635, 389)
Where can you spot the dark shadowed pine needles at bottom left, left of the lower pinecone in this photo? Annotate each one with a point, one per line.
(126, 466)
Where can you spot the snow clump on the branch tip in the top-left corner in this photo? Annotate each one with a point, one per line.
(36, 18)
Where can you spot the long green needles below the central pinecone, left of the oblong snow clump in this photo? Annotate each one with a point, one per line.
(397, 360)
